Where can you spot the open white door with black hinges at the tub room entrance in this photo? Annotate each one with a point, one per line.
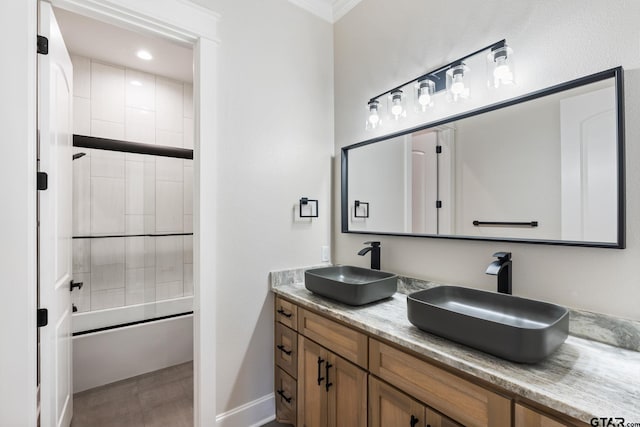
(55, 127)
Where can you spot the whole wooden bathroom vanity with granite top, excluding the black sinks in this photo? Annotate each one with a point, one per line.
(337, 365)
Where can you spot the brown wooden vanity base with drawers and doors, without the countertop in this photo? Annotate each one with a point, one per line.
(331, 375)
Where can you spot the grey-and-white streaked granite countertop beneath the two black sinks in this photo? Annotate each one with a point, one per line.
(583, 378)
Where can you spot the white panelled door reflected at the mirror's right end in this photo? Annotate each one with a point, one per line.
(588, 155)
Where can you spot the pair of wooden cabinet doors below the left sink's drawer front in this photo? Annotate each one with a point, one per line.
(332, 392)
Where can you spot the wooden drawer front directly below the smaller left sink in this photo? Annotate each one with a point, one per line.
(342, 340)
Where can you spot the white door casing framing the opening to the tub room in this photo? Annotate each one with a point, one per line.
(177, 20)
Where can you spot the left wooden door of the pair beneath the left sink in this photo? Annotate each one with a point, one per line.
(312, 394)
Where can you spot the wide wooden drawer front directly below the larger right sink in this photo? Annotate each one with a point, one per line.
(463, 401)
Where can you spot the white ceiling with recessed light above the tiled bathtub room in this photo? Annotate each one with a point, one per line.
(105, 42)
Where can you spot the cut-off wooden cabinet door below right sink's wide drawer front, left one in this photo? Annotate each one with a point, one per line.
(390, 407)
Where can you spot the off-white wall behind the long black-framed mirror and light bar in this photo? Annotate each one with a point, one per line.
(380, 44)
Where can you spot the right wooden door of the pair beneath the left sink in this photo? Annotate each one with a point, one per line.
(346, 385)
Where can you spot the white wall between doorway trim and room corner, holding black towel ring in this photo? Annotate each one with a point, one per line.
(276, 118)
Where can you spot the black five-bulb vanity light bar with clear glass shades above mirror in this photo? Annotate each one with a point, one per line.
(450, 77)
